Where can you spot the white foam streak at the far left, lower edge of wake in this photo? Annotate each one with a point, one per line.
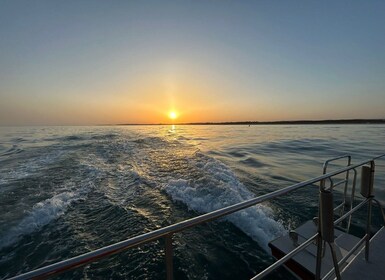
(41, 214)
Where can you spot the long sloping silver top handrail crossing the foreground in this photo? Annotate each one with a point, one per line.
(115, 248)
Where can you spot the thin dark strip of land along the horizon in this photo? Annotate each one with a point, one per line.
(297, 122)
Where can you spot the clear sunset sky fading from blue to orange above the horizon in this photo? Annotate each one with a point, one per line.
(102, 62)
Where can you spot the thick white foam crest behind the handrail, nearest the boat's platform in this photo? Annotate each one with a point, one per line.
(219, 188)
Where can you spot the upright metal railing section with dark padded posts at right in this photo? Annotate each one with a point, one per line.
(325, 220)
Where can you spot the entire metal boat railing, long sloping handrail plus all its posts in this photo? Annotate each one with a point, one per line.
(168, 231)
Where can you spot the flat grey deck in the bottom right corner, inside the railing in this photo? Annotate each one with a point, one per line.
(375, 267)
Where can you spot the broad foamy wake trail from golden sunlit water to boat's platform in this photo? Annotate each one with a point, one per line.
(205, 184)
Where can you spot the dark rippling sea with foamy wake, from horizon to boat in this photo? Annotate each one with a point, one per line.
(67, 190)
